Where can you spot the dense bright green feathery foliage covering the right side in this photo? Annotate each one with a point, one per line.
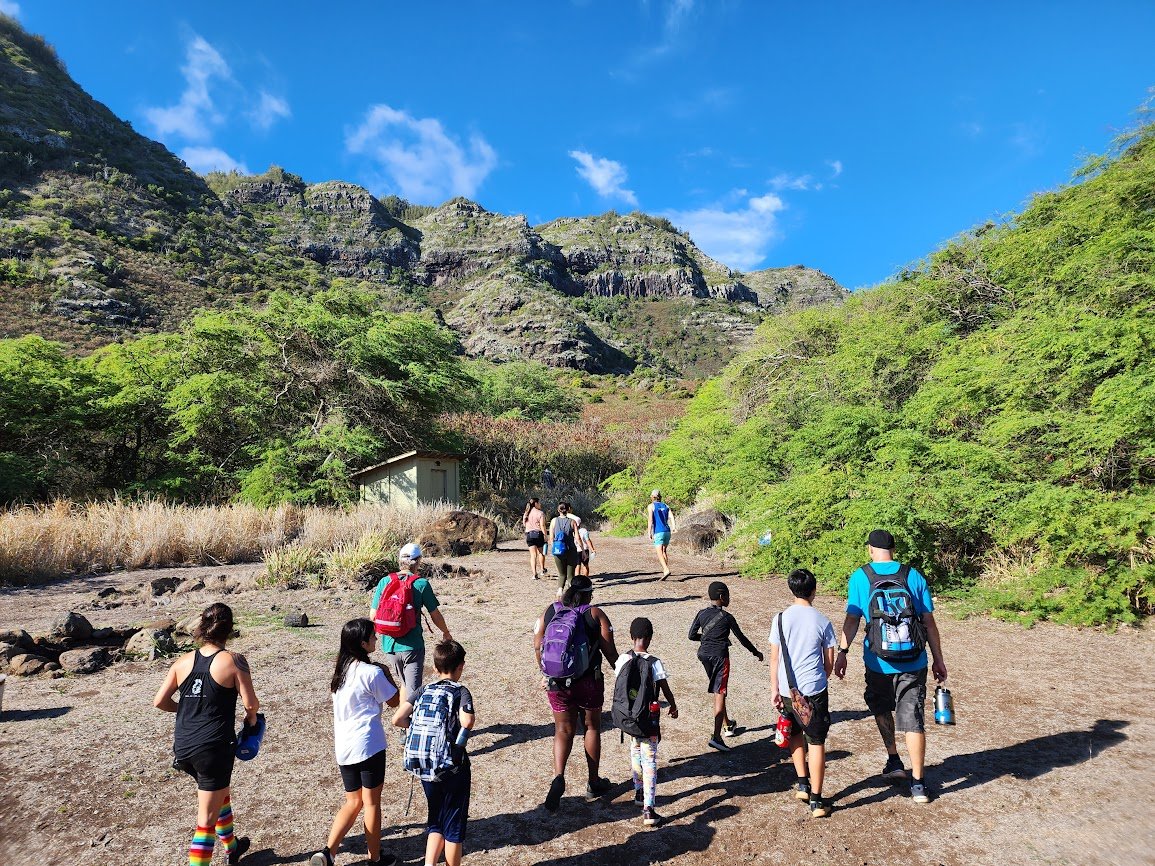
(995, 407)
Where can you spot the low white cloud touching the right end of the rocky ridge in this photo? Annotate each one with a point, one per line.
(740, 237)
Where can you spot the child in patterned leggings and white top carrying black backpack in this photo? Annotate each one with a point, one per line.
(639, 677)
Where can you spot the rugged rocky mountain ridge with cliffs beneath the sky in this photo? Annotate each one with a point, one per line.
(105, 234)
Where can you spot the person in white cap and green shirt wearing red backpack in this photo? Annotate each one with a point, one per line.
(397, 614)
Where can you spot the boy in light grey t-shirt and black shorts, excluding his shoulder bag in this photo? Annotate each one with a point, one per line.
(810, 640)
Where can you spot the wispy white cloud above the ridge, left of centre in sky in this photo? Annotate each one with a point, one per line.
(419, 158)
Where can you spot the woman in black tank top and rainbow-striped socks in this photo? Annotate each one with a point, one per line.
(210, 680)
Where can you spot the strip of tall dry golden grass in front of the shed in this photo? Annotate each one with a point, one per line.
(43, 542)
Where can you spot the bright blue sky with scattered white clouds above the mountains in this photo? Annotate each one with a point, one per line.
(850, 137)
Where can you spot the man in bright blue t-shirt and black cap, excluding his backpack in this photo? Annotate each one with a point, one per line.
(896, 691)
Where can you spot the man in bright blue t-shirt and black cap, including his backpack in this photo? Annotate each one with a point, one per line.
(897, 604)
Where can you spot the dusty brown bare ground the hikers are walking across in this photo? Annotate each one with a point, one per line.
(1052, 760)
